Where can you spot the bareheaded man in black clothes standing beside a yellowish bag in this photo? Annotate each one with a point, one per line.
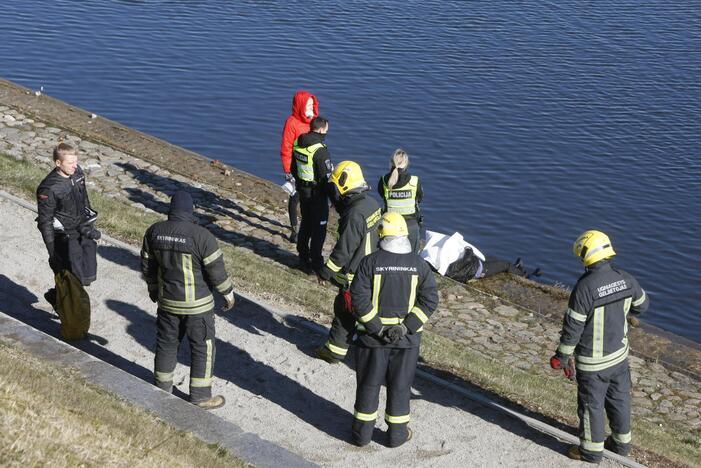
(66, 219)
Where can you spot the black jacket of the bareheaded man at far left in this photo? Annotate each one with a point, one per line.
(63, 198)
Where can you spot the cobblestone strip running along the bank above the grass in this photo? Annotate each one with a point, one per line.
(483, 322)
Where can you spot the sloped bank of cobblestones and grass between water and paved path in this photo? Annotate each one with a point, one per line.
(477, 336)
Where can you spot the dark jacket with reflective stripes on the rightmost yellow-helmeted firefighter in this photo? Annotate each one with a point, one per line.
(595, 327)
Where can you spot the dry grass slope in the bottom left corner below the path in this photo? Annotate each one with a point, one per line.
(51, 415)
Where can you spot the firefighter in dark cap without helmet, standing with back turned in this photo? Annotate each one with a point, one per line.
(182, 264)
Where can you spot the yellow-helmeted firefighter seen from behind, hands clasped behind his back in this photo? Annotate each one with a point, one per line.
(393, 293)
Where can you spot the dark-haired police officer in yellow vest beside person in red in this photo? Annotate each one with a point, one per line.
(311, 168)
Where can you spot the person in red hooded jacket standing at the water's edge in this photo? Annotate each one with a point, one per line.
(305, 107)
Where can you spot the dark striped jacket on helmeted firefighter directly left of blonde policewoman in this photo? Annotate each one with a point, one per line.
(357, 236)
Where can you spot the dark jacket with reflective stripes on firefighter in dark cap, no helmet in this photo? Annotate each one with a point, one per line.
(182, 264)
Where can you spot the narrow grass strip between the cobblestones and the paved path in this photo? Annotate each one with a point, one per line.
(550, 396)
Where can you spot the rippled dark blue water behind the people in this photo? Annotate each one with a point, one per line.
(528, 122)
